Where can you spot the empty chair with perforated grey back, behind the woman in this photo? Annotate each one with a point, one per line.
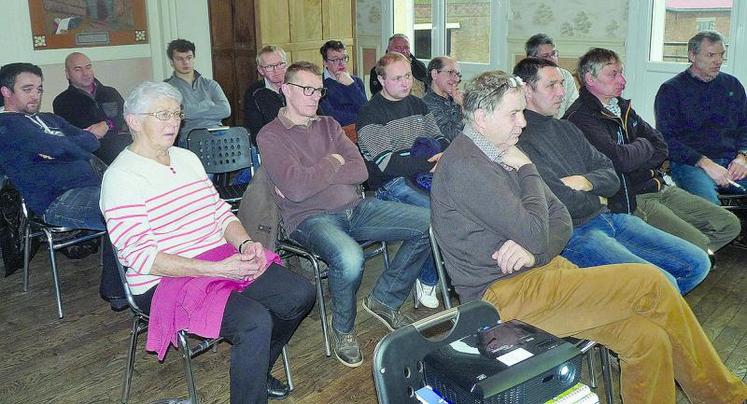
(223, 152)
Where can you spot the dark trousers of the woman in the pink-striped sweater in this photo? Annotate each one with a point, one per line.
(258, 322)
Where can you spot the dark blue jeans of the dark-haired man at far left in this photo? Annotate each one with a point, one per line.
(78, 208)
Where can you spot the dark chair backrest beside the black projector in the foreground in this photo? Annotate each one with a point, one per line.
(398, 358)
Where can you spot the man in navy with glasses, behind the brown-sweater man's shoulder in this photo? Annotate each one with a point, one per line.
(345, 93)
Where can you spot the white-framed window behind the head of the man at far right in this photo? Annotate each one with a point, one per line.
(676, 21)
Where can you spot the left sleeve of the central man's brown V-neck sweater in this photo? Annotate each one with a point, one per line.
(296, 181)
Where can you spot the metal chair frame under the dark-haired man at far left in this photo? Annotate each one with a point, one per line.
(36, 227)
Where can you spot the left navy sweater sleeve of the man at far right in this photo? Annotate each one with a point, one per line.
(673, 125)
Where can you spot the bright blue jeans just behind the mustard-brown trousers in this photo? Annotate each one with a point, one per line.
(617, 238)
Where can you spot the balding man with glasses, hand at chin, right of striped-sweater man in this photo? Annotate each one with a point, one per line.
(444, 99)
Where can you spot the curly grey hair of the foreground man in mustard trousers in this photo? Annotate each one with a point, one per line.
(487, 90)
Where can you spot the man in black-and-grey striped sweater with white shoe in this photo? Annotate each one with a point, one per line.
(389, 126)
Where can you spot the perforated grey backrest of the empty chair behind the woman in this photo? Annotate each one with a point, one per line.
(221, 150)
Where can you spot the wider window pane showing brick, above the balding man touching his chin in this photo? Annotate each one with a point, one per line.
(468, 30)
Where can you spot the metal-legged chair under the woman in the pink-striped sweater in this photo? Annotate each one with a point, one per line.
(140, 325)
